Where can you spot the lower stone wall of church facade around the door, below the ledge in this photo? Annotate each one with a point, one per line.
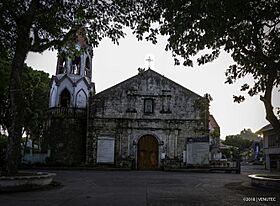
(171, 134)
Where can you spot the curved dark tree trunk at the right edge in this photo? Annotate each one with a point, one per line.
(266, 99)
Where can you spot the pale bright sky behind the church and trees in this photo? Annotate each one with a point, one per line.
(115, 63)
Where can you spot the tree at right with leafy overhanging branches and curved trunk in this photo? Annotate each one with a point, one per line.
(249, 30)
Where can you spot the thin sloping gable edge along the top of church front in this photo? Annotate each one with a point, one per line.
(143, 74)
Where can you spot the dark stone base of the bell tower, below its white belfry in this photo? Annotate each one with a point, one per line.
(65, 136)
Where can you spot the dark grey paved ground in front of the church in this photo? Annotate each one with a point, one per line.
(151, 188)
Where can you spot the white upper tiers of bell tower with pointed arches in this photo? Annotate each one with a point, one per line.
(71, 86)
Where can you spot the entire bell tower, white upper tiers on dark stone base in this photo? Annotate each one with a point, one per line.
(71, 87)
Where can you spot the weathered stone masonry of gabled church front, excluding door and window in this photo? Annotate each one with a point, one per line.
(119, 113)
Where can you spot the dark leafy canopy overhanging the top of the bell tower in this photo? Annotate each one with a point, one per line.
(52, 23)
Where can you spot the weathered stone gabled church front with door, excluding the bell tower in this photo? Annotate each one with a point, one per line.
(147, 122)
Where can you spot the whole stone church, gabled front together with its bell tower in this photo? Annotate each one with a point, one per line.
(145, 122)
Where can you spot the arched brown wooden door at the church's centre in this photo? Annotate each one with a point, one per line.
(147, 153)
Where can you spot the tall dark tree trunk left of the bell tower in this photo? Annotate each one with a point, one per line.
(13, 153)
